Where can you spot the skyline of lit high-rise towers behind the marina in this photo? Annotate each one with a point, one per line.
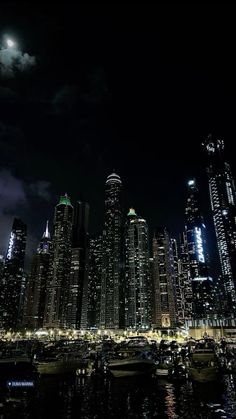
(117, 280)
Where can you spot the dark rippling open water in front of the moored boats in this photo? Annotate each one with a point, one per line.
(126, 398)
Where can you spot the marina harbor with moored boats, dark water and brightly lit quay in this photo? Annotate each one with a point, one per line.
(133, 377)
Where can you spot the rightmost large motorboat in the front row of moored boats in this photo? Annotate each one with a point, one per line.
(204, 365)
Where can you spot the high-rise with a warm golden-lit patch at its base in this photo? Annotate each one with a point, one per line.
(164, 280)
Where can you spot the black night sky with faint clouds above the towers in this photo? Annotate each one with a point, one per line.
(134, 88)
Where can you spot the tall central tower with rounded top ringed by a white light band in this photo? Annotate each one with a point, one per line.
(111, 265)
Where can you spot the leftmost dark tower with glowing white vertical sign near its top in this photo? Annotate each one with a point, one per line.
(13, 277)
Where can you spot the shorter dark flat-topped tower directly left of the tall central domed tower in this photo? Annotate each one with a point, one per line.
(94, 281)
